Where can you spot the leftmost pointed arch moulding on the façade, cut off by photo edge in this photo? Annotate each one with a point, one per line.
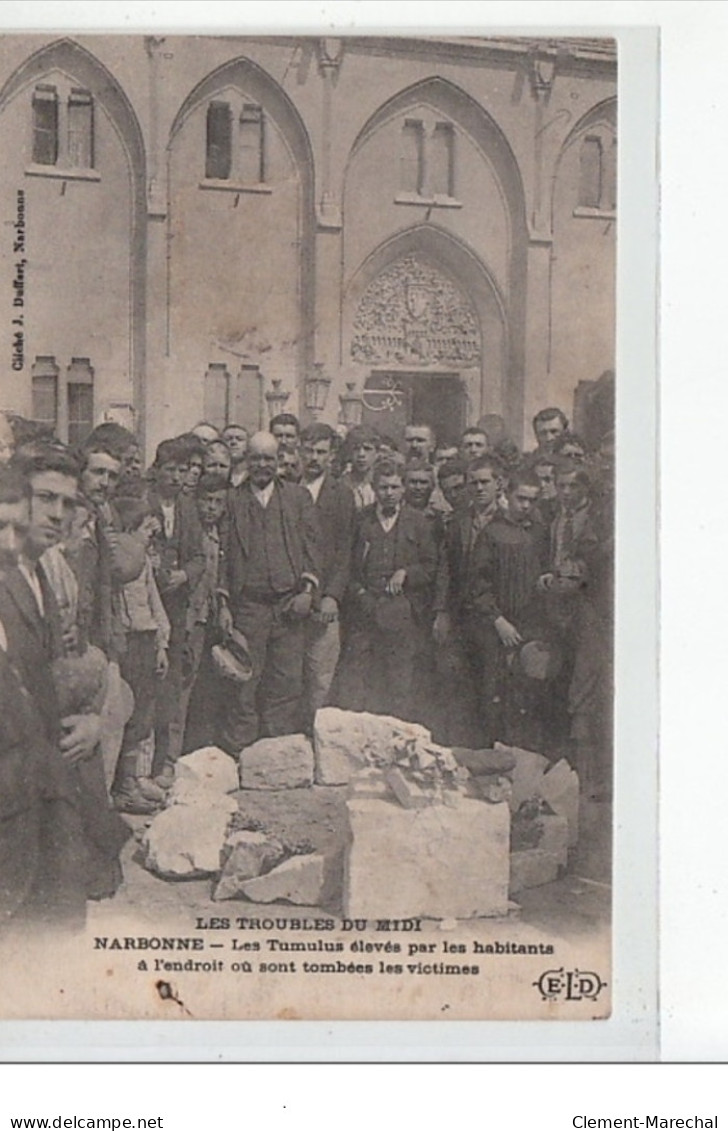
(89, 72)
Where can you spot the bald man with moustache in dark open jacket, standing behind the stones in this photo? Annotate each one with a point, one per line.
(271, 573)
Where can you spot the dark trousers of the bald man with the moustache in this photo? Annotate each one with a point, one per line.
(271, 703)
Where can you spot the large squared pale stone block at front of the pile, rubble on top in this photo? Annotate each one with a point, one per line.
(431, 864)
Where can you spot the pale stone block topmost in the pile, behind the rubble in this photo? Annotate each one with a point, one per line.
(348, 741)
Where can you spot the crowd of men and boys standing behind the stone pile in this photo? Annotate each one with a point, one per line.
(241, 583)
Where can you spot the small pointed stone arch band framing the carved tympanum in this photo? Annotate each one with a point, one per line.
(488, 379)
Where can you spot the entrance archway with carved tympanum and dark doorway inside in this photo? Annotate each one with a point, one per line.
(427, 335)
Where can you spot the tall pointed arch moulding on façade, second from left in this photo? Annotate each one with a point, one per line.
(249, 77)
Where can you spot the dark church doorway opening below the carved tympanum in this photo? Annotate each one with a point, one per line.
(394, 400)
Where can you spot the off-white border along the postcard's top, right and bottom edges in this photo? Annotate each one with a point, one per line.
(631, 1033)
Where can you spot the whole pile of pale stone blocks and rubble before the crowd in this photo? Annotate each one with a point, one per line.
(400, 826)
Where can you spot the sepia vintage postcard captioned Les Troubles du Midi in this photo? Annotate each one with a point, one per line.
(307, 594)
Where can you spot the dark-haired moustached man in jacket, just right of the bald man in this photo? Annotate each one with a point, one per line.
(336, 513)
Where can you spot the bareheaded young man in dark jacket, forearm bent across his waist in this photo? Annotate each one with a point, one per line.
(393, 577)
